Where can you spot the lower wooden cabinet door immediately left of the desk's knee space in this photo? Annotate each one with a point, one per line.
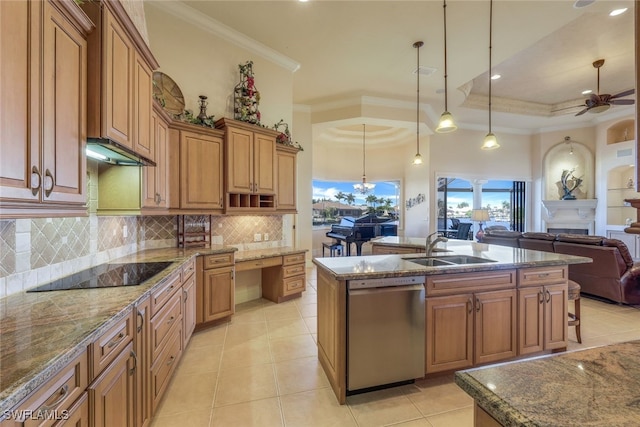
(219, 299)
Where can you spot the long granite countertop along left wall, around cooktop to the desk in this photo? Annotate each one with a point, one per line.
(41, 332)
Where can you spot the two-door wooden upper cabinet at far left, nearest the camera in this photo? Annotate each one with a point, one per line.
(43, 109)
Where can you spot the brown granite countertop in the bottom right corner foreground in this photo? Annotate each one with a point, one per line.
(593, 387)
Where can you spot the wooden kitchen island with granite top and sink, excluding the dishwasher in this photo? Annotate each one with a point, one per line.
(486, 304)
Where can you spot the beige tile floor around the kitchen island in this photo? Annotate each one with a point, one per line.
(261, 369)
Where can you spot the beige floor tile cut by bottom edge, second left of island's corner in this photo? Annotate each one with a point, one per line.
(258, 413)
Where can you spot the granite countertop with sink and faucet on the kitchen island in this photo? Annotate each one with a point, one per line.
(382, 266)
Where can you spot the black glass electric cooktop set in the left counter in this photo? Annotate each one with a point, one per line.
(106, 276)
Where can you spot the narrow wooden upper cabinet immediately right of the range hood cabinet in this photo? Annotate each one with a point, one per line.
(155, 180)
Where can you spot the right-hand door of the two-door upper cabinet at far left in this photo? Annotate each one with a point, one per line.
(64, 120)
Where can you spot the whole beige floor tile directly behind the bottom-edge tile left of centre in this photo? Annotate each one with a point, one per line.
(245, 384)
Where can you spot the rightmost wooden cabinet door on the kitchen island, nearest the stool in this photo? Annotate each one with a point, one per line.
(555, 316)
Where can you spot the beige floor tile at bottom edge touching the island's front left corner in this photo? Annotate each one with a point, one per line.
(316, 408)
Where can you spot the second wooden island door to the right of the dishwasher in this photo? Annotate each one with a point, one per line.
(495, 326)
